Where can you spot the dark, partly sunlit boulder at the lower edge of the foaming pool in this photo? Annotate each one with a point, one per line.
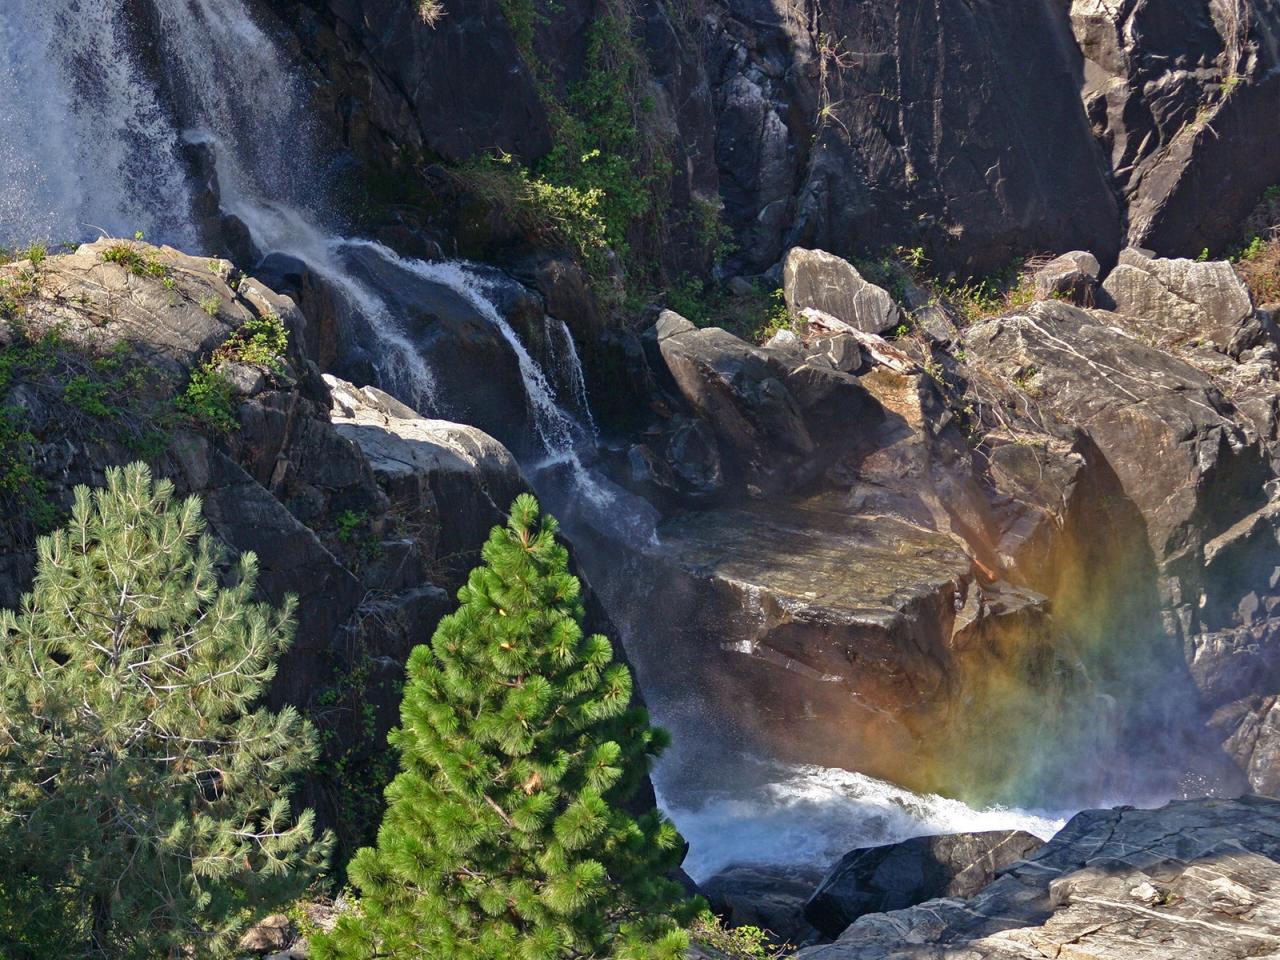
(897, 876)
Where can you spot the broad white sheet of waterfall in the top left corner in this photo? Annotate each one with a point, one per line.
(88, 147)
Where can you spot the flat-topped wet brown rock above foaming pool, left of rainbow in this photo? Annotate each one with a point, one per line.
(842, 638)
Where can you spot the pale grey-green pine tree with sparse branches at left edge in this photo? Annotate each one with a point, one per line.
(144, 808)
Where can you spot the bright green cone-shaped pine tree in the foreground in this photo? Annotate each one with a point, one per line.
(504, 836)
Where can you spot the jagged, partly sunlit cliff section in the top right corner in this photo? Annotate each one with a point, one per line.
(1176, 93)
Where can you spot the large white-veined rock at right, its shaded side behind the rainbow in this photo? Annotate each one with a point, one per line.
(1176, 474)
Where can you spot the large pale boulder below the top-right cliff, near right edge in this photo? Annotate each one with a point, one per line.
(1180, 301)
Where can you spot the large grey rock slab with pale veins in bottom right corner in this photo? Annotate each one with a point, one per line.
(1192, 880)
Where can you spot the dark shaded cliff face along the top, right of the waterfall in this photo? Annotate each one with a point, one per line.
(852, 127)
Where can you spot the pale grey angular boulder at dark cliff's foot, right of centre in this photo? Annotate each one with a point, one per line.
(820, 281)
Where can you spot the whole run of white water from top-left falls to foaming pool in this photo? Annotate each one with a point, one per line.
(97, 143)
